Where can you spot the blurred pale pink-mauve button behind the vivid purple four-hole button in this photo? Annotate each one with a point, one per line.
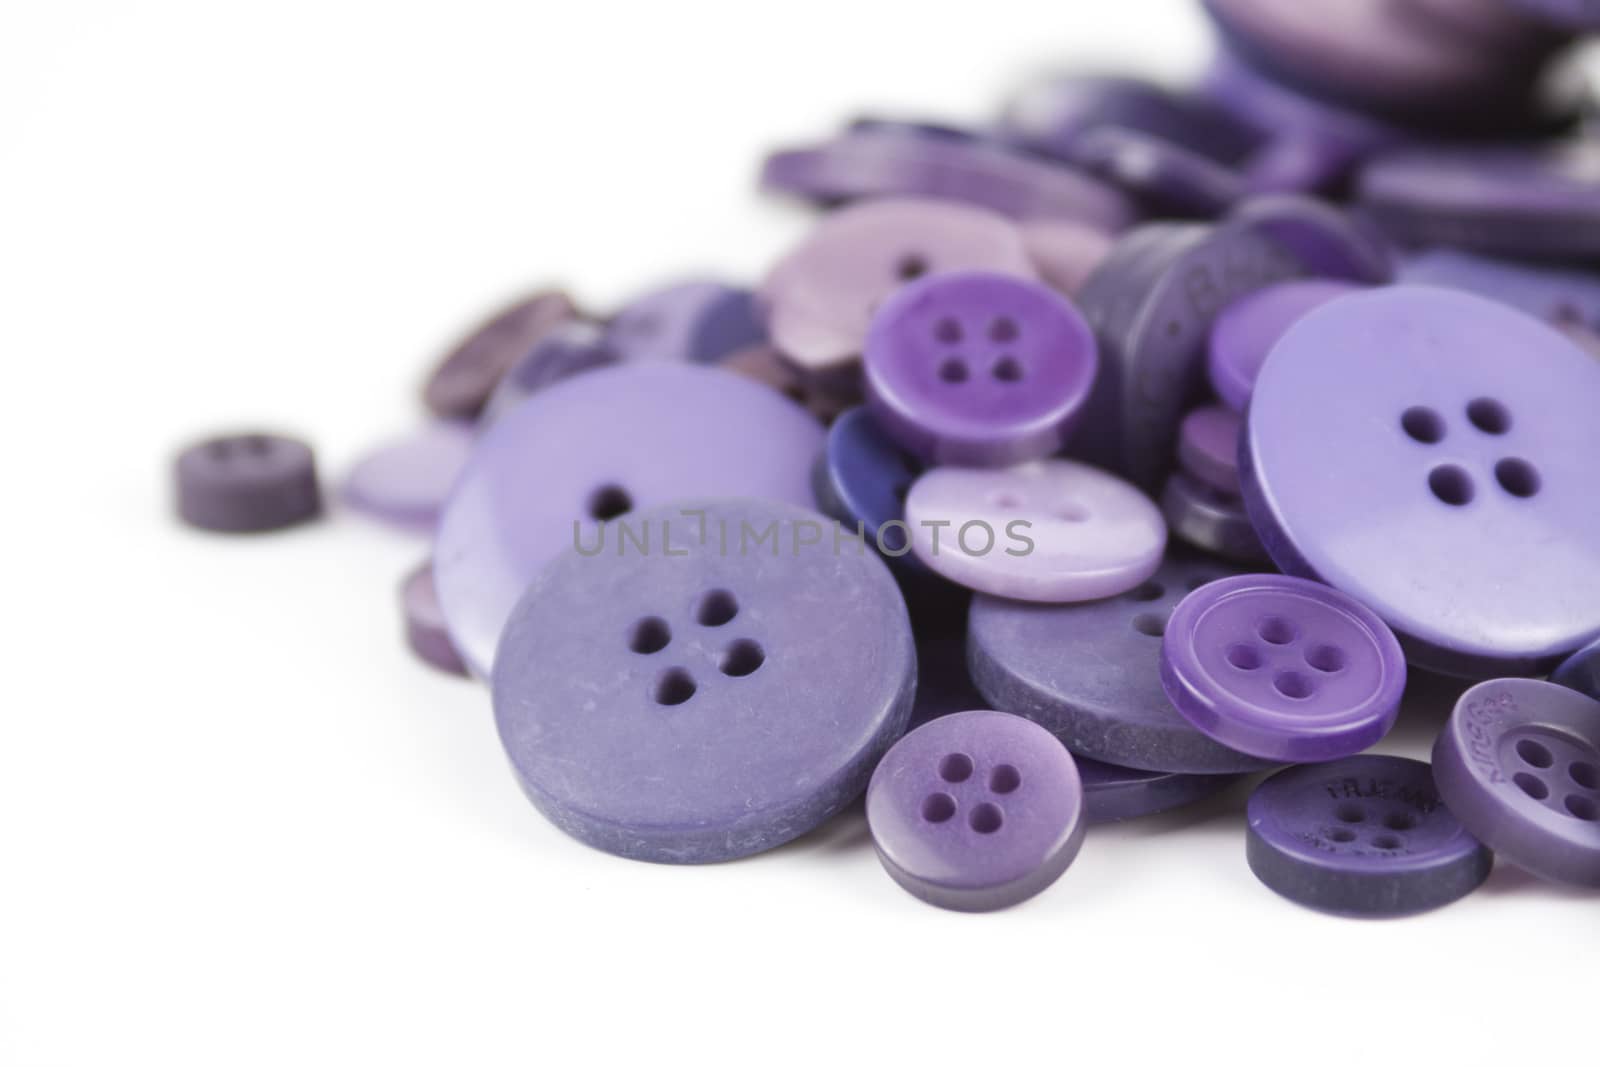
(822, 297)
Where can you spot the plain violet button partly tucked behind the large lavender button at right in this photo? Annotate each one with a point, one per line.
(1247, 330)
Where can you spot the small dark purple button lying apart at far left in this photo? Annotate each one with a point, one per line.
(247, 484)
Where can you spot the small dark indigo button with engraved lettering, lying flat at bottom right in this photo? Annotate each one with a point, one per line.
(1366, 837)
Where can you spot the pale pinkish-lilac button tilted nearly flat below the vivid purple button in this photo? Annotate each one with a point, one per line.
(1052, 532)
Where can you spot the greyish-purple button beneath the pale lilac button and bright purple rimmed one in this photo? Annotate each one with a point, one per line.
(1092, 673)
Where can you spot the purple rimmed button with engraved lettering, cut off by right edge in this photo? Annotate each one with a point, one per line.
(1519, 764)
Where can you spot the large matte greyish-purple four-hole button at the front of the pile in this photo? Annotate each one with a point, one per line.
(706, 698)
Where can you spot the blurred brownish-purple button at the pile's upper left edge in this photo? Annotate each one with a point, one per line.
(462, 385)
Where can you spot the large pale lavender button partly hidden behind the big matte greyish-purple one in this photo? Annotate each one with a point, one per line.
(596, 449)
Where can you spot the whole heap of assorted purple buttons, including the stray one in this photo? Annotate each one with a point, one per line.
(1070, 471)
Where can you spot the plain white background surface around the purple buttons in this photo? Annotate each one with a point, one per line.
(239, 825)
